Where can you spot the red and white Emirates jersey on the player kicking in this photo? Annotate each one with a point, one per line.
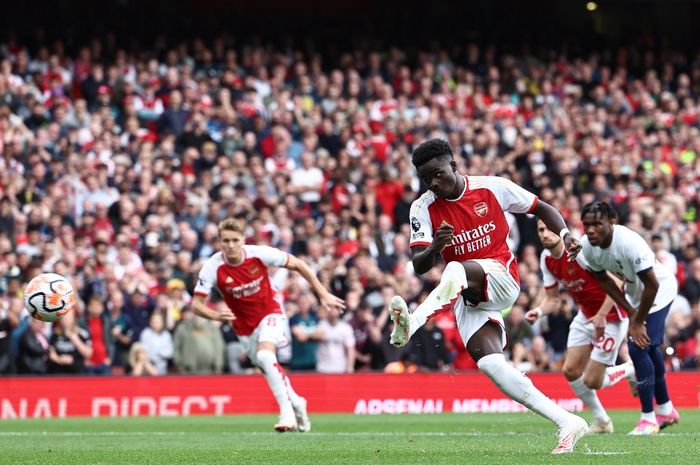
(480, 225)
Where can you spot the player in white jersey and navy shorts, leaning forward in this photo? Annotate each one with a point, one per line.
(650, 289)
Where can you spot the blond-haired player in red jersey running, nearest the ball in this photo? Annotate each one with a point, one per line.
(240, 273)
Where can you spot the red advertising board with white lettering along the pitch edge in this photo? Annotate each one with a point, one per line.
(358, 393)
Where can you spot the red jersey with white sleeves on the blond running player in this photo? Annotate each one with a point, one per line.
(246, 286)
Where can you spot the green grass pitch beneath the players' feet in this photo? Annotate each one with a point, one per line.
(337, 439)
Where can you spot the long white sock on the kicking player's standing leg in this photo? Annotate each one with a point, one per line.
(518, 387)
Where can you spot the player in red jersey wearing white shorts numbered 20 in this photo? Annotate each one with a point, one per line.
(596, 333)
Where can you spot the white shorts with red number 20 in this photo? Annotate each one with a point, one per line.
(605, 350)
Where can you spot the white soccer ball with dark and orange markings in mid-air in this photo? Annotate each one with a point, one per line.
(48, 297)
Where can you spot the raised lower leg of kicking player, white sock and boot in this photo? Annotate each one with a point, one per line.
(443, 297)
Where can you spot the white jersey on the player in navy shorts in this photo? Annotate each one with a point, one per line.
(627, 255)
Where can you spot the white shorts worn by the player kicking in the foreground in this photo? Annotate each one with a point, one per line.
(501, 292)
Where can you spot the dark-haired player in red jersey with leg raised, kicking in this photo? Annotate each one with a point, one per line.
(462, 218)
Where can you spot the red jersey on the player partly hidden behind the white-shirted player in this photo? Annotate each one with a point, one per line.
(578, 281)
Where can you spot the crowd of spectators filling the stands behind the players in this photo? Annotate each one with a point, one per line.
(115, 168)
